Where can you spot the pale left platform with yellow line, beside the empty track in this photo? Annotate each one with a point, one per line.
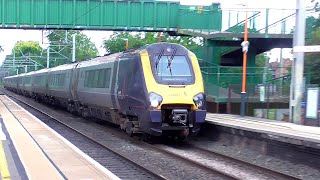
(29, 149)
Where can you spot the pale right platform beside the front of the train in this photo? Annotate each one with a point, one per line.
(274, 130)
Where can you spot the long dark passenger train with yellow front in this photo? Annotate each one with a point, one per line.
(156, 90)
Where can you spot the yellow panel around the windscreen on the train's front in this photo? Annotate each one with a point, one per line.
(169, 94)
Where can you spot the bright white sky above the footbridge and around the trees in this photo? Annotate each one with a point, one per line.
(9, 37)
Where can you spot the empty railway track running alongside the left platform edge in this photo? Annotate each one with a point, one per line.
(121, 166)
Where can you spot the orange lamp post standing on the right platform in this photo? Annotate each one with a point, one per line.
(245, 46)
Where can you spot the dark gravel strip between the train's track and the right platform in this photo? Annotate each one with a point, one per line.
(297, 170)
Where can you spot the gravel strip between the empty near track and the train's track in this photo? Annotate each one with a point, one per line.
(161, 163)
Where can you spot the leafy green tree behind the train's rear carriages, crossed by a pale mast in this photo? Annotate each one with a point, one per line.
(61, 47)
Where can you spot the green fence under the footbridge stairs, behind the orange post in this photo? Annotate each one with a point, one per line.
(223, 83)
